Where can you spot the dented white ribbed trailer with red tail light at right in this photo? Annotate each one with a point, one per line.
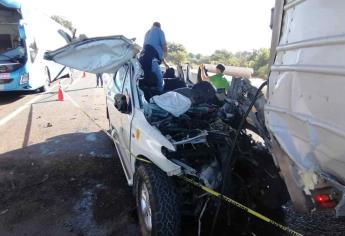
(305, 112)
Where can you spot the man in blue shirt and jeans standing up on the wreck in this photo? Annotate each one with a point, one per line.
(154, 51)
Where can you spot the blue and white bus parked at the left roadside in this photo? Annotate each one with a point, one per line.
(25, 35)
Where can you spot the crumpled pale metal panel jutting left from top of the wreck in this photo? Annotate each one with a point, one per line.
(95, 55)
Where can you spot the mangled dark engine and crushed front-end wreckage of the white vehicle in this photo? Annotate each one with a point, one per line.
(221, 141)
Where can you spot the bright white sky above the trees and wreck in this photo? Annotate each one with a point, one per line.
(201, 26)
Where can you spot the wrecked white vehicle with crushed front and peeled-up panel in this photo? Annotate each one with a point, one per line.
(192, 131)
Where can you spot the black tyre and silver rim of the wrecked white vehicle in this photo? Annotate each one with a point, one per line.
(157, 202)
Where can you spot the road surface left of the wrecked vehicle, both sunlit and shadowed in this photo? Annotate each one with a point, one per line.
(59, 174)
